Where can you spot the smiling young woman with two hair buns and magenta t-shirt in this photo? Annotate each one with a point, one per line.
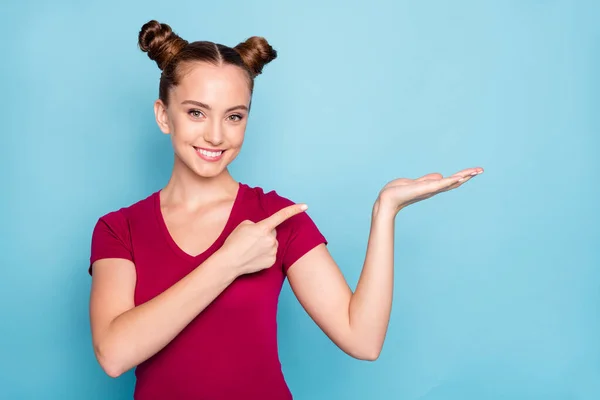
(186, 281)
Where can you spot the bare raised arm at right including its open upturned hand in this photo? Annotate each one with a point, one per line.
(357, 322)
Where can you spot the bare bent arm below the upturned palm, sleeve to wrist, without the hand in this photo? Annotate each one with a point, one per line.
(356, 322)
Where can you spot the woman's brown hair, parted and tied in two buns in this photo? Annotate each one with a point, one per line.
(172, 54)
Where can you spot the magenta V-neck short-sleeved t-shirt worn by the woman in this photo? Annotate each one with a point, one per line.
(229, 351)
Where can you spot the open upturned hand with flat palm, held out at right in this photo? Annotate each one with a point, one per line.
(403, 192)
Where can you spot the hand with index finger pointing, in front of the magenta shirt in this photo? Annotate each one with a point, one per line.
(252, 247)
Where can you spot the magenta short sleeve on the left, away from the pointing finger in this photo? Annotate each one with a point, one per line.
(111, 238)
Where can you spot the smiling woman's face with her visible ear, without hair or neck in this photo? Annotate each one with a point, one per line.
(206, 116)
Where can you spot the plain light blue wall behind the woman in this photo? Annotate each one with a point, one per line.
(497, 283)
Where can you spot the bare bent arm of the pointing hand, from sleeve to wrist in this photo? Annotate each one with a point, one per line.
(124, 335)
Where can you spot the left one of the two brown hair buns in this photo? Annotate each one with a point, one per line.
(160, 42)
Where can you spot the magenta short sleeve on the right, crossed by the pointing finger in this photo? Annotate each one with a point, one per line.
(303, 234)
